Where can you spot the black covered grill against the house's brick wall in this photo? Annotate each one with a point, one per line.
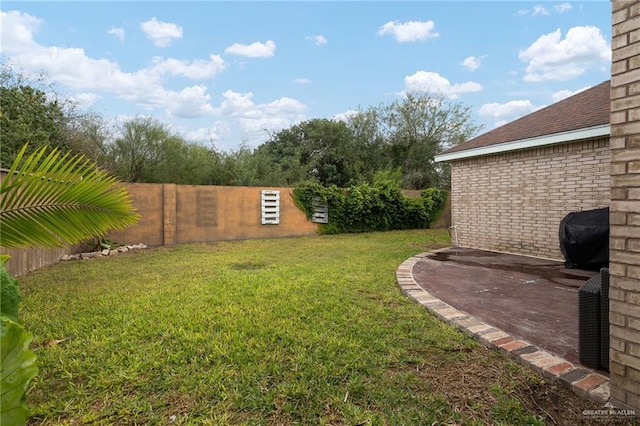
(584, 239)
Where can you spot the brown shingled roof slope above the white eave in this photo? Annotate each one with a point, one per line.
(586, 109)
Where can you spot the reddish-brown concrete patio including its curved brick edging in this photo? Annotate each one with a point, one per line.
(524, 307)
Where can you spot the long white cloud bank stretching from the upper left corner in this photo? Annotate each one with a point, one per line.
(74, 69)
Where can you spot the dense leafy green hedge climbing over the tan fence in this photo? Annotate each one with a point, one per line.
(370, 207)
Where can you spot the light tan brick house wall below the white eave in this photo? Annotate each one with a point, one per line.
(514, 202)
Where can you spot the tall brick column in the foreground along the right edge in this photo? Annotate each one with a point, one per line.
(625, 206)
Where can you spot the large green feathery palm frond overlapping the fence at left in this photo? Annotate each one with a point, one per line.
(48, 200)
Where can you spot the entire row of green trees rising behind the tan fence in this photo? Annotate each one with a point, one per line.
(402, 135)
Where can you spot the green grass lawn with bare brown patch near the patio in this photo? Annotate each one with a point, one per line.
(308, 331)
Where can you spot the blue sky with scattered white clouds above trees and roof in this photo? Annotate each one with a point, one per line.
(229, 74)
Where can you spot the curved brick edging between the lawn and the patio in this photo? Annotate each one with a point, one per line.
(585, 382)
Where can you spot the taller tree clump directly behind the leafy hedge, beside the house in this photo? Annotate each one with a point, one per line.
(404, 135)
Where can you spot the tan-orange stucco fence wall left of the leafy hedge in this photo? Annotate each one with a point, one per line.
(177, 214)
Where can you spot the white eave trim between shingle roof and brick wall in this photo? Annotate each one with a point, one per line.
(555, 138)
